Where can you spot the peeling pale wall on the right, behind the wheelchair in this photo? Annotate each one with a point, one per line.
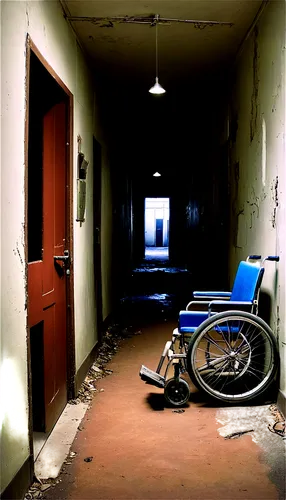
(257, 160)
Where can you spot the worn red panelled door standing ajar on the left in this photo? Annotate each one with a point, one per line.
(47, 277)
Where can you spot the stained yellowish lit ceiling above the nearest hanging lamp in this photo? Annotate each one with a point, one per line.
(127, 50)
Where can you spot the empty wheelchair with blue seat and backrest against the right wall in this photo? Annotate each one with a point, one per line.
(228, 351)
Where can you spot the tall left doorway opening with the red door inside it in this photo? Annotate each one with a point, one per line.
(48, 202)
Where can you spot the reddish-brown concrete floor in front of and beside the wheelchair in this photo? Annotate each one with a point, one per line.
(142, 449)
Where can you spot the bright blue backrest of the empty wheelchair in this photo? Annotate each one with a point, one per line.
(247, 282)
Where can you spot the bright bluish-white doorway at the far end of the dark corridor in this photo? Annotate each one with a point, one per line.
(156, 226)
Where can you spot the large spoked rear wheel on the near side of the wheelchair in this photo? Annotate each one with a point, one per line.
(233, 356)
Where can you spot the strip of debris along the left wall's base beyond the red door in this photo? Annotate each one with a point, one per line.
(109, 346)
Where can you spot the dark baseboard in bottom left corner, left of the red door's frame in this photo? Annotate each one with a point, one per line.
(20, 482)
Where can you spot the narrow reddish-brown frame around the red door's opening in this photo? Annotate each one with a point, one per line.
(71, 367)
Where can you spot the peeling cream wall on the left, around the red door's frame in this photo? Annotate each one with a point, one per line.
(44, 22)
